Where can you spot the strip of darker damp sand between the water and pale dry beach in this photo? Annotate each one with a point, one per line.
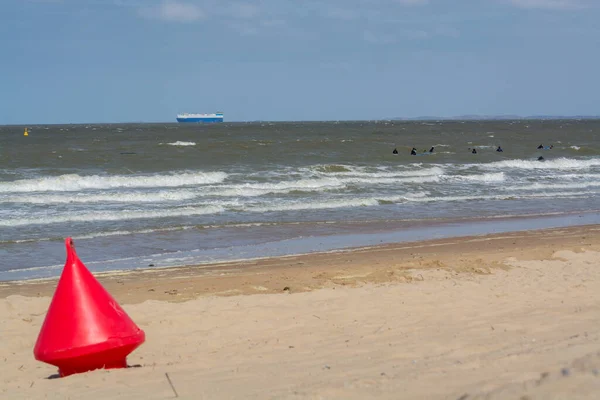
(391, 262)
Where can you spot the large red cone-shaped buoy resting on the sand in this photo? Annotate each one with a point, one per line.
(85, 328)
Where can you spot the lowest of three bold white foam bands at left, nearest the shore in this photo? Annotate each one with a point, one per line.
(99, 216)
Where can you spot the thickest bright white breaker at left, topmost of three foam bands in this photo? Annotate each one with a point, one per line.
(74, 182)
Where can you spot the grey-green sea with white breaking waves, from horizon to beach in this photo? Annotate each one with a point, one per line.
(135, 196)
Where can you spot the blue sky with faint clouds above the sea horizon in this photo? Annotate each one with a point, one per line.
(86, 61)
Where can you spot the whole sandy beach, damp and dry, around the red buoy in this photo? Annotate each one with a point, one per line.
(507, 316)
